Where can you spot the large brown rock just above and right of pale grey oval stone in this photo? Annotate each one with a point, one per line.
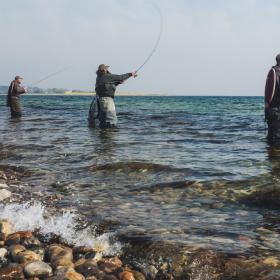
(60, 256)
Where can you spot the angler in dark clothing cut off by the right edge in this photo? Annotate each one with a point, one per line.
(272, 103)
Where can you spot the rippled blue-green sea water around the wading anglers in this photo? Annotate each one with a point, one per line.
(161, 175)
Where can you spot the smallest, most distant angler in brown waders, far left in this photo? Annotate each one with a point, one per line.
(13, 97)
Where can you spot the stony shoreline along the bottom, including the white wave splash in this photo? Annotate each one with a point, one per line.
(33, 246)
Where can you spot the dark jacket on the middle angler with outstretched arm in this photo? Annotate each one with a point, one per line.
(106, 83)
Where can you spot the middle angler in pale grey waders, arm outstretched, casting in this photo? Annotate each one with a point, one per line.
(102, 107)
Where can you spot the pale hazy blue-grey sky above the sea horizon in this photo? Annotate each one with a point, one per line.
(217, 47)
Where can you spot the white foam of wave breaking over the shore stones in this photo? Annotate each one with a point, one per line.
(34, 216)
